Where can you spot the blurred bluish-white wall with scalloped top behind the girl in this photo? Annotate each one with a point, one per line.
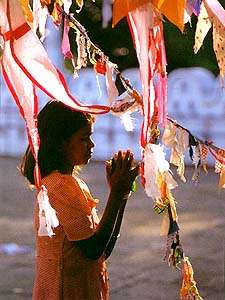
(196, 101)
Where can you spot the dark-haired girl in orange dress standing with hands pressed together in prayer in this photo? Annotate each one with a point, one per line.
(70, 265)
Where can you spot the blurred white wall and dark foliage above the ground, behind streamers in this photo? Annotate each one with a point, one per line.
(196, 99)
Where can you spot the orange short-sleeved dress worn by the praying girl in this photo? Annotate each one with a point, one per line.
(62, 270)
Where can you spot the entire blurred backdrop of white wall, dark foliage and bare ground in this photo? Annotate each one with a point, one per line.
(196, 100)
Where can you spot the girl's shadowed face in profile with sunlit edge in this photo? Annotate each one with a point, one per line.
(79, 148)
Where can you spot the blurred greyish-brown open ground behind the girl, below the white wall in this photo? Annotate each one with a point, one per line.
(136, 267)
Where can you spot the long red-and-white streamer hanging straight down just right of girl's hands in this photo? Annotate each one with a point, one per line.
(146, 28)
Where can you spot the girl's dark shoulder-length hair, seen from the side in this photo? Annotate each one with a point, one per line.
(56, 124)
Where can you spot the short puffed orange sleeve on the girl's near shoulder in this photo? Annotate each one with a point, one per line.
(72, 207)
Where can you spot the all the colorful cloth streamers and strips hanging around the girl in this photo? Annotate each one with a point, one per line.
(24, 69)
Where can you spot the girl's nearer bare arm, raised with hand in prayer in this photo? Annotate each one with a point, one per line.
(120, 182)
